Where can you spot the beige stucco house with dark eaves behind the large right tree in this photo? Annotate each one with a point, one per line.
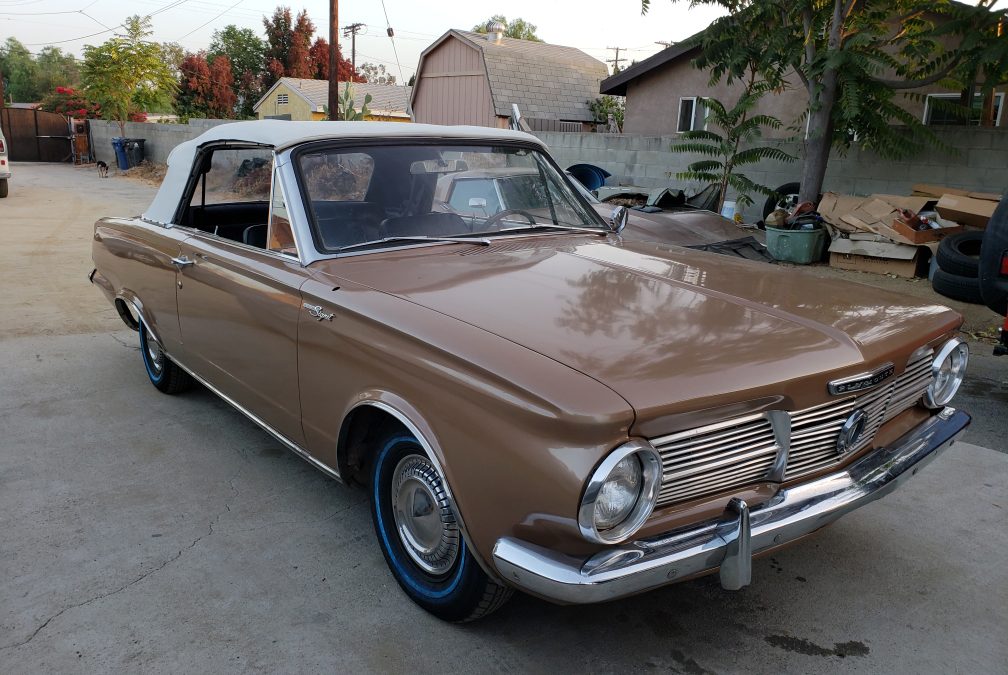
(665, 96)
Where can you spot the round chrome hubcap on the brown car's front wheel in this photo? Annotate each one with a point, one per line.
(424, 516)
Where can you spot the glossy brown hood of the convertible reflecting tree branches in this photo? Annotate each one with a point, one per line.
(669, 329)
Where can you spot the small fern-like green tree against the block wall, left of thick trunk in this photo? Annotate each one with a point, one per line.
(732, 149)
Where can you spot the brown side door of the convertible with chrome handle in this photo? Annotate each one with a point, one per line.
(238, 310)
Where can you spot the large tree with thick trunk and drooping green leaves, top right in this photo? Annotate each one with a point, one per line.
(852, 59)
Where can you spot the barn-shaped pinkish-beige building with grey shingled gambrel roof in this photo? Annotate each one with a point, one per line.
(468, 78)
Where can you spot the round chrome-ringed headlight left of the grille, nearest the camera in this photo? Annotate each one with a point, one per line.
(621, 494)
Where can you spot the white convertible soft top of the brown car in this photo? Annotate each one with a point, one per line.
(282, 134)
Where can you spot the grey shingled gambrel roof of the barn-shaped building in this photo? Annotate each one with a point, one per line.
(547, 81)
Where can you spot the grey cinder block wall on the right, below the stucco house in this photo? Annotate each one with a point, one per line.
(975, 160)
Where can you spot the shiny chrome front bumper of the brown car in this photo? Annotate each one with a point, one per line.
(730, 544)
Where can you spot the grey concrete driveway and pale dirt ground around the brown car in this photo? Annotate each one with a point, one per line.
(143, 532)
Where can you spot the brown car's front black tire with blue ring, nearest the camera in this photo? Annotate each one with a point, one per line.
(459, 591)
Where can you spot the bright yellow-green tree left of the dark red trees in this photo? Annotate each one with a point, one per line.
(129, 73)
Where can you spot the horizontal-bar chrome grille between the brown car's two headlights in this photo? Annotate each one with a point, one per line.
(742, 452)
